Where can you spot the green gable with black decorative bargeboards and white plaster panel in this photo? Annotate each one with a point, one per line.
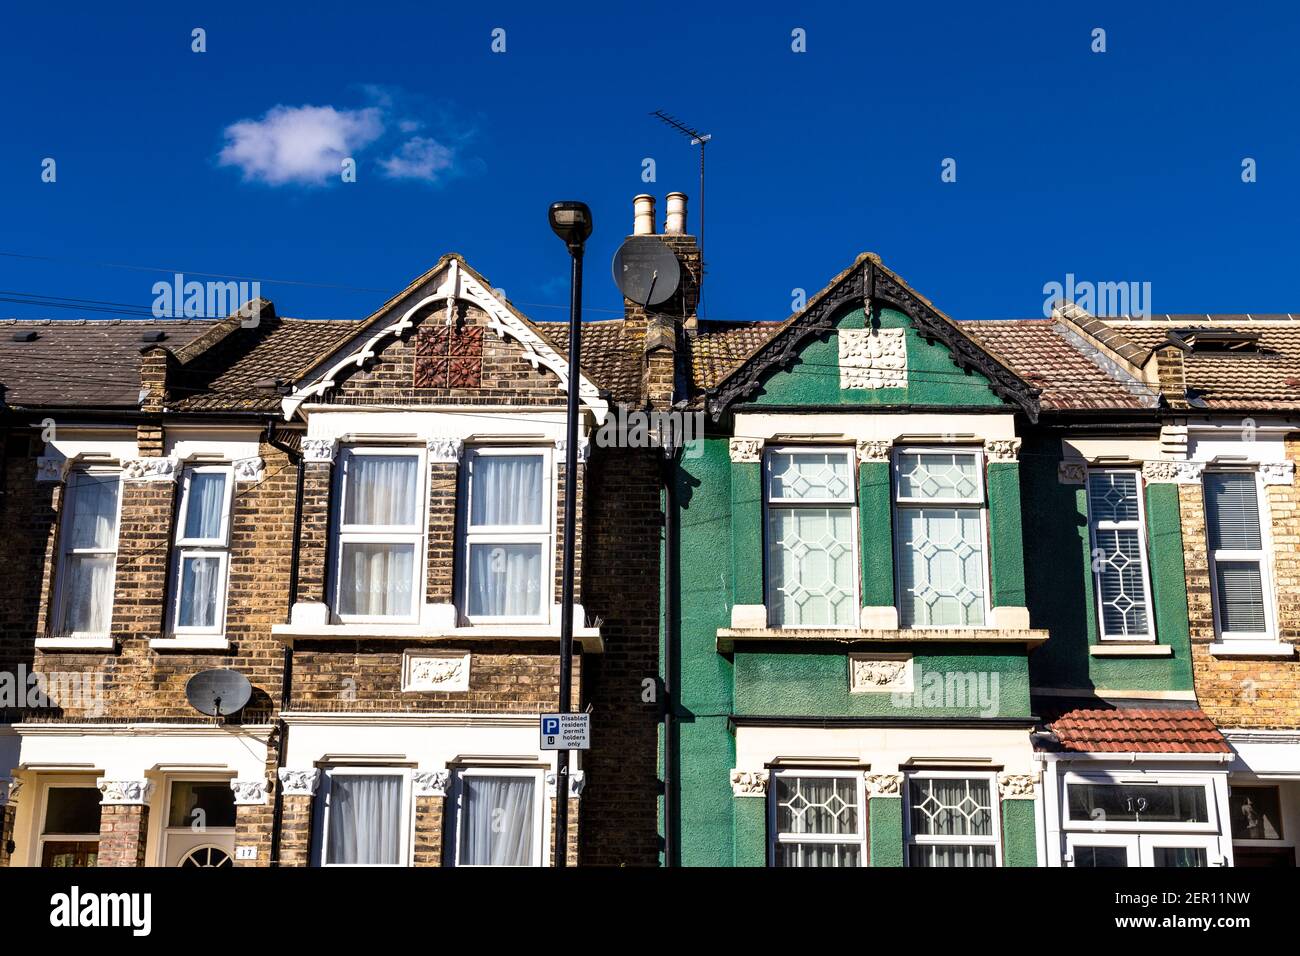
(868, 339)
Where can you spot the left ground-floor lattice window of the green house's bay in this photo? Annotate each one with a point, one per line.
(817, 819)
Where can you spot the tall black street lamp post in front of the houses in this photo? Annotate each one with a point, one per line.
(573, 223)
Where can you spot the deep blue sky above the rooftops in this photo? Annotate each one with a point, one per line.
(1124, 166)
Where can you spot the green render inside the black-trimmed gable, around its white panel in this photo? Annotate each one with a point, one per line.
(933, 377)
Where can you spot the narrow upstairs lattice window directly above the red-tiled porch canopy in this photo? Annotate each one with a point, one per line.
(1116, 525)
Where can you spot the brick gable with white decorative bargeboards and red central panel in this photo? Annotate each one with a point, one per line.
(447, 339)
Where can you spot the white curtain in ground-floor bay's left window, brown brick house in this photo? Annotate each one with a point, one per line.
(365, 820)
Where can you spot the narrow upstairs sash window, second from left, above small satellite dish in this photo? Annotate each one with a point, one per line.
(202, 560)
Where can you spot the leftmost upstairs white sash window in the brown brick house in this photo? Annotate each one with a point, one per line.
(88, 552)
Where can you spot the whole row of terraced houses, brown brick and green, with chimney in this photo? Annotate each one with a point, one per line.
(921, 594)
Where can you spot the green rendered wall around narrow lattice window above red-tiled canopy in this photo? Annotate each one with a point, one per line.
(1063, 596)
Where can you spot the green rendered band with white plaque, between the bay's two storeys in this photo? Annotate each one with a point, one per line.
(951, 681)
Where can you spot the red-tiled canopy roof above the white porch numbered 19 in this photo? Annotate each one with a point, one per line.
(1138, 732)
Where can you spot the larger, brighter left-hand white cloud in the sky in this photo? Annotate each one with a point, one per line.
(300, 145)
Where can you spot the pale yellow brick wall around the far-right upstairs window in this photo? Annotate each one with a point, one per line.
(1247, 693)
